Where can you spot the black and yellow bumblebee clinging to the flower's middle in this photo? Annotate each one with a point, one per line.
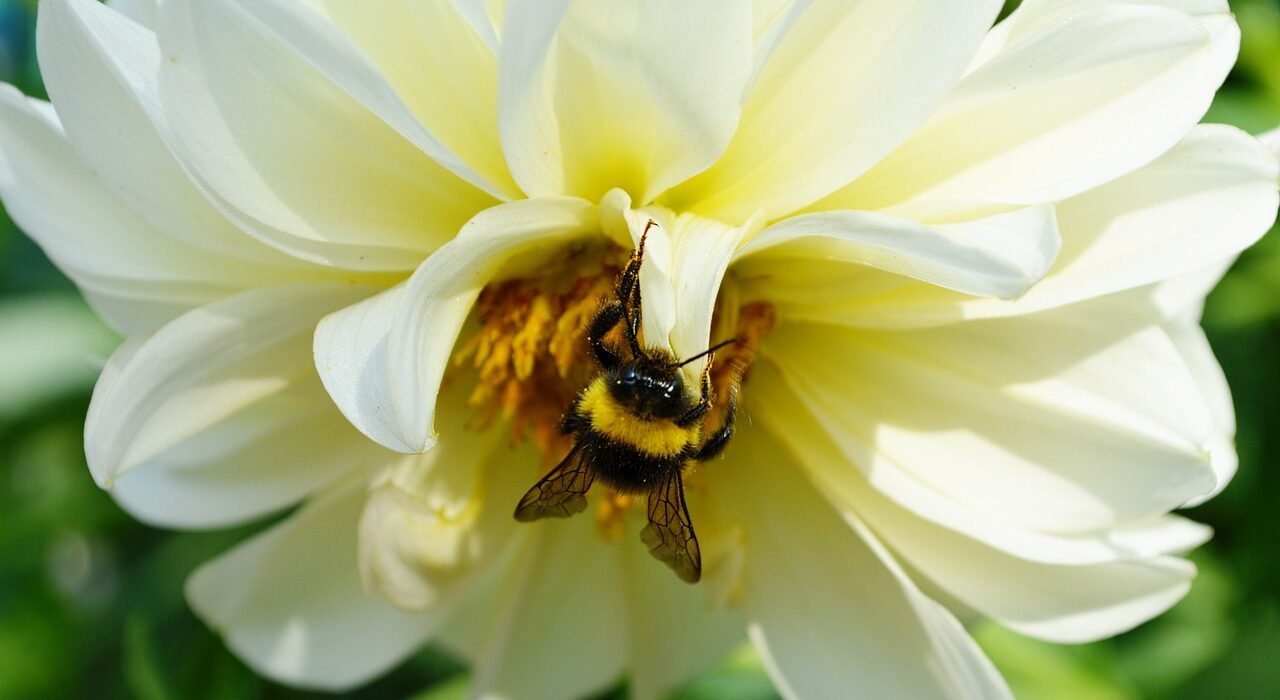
(637, 428)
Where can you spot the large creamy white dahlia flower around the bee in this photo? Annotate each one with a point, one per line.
(975, 259)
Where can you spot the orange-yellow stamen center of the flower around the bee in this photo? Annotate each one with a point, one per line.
(531, 353)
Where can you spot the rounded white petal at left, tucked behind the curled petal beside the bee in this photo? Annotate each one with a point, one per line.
(220, 417)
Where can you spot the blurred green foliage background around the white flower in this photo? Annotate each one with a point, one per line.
(92, 602)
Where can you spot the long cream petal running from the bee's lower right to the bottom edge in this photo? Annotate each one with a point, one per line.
(830, 609)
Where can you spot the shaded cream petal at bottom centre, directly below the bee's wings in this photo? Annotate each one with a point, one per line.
(609, 606)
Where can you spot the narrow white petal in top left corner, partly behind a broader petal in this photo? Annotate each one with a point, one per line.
(102, 70)
